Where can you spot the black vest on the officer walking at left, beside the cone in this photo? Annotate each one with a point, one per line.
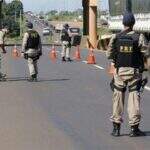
(33, 40)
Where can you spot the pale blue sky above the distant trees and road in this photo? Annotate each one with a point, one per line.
(46, 5)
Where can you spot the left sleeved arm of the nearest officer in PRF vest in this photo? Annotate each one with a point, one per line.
(109, 52)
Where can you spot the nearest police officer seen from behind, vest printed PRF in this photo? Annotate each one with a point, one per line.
(125, 50)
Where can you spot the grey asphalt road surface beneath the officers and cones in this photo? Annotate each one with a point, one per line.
(67, 109)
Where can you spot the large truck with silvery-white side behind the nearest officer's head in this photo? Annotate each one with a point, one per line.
(141, 10)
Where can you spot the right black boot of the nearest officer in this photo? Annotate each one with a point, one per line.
(135, 131)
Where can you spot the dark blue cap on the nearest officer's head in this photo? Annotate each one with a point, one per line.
(128, 19)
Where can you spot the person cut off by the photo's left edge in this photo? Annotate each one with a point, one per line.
(3, 32)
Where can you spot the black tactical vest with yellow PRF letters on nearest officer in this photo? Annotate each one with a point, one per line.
(128, 52)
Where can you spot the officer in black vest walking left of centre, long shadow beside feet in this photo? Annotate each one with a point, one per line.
(32, 50)
